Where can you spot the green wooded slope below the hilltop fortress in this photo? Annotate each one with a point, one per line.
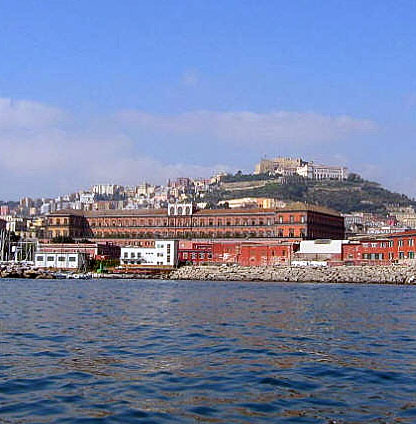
(352, 195)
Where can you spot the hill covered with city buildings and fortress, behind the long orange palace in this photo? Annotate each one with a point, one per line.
(274, 183)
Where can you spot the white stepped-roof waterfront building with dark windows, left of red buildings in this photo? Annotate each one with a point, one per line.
(163, 252)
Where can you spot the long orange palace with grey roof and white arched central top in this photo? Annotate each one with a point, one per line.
(295, 222)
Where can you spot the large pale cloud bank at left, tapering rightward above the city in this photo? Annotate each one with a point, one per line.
(46, 158)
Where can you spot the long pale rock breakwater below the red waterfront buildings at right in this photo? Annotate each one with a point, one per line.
(394, 274)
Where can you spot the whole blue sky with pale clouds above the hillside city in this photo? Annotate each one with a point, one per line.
(122, 91)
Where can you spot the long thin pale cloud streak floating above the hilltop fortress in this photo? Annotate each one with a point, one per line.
(251, 128)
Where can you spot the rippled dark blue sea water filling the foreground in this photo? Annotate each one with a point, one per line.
(162, 351)
